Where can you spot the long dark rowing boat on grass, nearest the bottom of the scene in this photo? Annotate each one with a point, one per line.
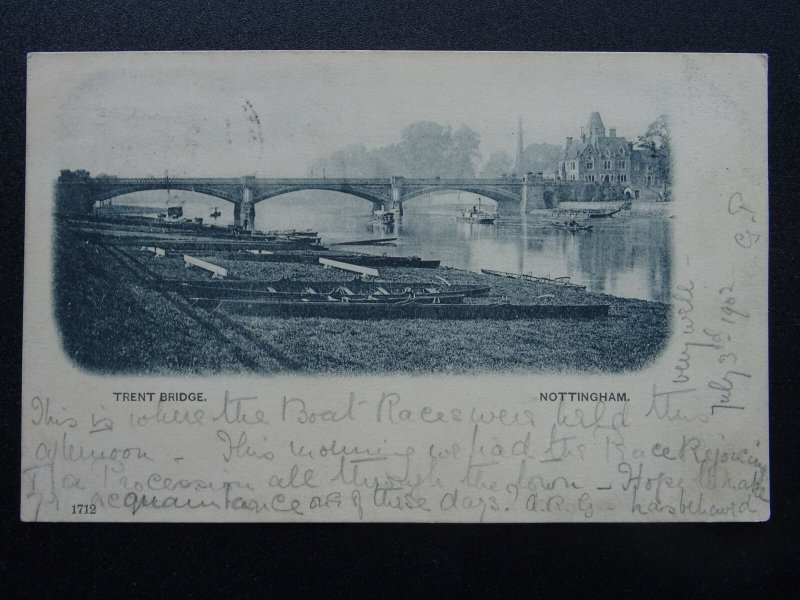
(403, 309)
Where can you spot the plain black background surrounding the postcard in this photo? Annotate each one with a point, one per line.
(145, 560)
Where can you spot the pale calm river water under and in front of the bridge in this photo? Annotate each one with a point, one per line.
(628, 255)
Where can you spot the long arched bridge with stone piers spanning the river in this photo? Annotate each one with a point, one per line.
(77, 191)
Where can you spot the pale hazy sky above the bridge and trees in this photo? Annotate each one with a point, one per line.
(274, 113)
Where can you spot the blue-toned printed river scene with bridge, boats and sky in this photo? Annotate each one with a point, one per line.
(362, 215)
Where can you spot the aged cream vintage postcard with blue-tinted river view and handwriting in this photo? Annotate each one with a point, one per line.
(395, 286)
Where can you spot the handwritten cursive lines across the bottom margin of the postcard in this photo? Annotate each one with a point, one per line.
(552, 456)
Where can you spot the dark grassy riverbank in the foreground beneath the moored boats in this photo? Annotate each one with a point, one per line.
(112, 321)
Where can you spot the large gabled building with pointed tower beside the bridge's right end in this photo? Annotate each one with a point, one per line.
(610, 160)
